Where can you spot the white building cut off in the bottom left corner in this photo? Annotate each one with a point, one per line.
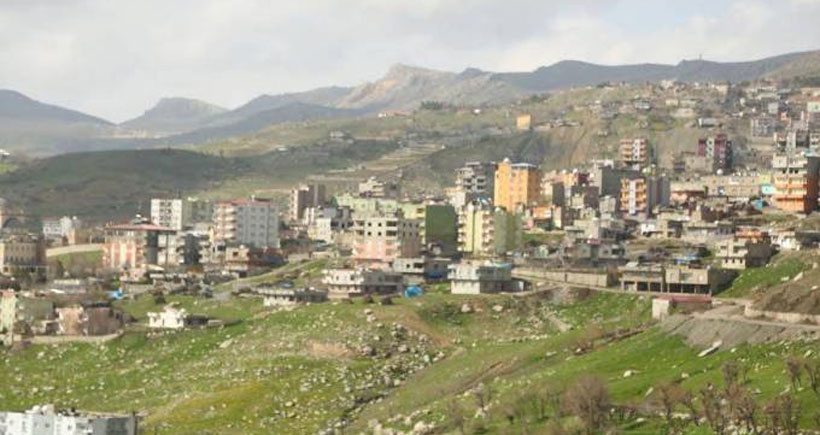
(46, 420)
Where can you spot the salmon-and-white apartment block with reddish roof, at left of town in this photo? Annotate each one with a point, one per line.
(132, 248)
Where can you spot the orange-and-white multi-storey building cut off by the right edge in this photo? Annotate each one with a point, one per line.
(796, 182)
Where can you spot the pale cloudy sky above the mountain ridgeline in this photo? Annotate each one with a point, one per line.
(117, 58)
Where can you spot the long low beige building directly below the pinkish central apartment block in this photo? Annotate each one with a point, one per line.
(347, 283)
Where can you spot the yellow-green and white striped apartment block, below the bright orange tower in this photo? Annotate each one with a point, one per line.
(486, 231)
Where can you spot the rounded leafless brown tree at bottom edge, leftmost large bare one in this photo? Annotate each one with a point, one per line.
(588, 400)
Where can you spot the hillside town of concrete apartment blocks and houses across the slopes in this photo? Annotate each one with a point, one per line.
(681, 229)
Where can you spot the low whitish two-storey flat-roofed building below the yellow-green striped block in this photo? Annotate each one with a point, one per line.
(475, 278)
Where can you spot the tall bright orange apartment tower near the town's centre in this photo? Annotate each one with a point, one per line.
(516, 184)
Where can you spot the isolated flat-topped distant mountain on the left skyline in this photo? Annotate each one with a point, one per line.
(174, 115)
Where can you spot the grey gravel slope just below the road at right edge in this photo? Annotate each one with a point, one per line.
(701, 333)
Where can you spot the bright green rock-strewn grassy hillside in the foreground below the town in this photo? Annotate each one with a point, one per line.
(420, 360)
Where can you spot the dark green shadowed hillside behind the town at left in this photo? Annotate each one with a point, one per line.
(117, 184)
